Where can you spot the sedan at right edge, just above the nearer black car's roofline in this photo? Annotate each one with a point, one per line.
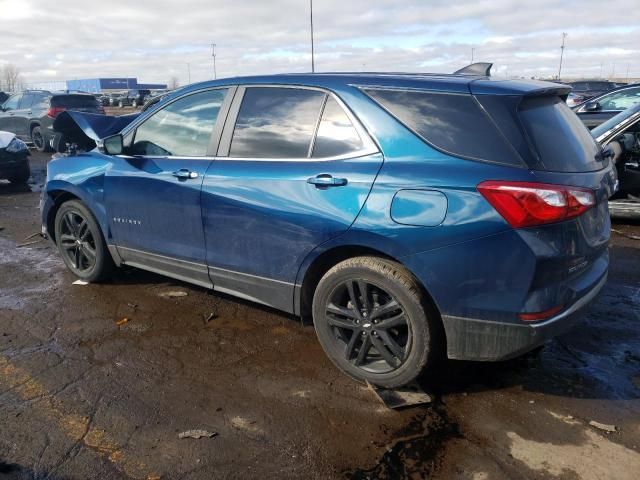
(603, 107)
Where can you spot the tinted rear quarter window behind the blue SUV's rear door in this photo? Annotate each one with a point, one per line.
(451, 122)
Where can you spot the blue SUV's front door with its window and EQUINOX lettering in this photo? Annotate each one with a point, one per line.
(153, 192)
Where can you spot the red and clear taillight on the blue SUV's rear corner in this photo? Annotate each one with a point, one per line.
(525, 204)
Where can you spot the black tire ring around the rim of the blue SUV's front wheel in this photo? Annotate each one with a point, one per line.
(99, 269)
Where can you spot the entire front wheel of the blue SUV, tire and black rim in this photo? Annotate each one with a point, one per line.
(81, 244)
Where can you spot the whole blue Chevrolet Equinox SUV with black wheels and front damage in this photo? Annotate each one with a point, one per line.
(409, 216)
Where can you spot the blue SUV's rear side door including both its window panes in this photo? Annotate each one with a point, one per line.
(293, 171)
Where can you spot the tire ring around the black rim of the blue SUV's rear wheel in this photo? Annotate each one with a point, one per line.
(420, 346)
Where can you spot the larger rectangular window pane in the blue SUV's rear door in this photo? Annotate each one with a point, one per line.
(276, 123)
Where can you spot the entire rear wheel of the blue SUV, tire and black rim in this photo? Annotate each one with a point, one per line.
(401, 337)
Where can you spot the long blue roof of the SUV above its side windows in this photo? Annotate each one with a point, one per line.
(425, 81)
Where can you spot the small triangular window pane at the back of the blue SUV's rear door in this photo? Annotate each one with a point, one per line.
(336, 134)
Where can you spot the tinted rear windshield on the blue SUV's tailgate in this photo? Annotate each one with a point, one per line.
(558, 137)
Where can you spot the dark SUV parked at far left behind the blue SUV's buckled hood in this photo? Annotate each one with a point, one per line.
(30, 114)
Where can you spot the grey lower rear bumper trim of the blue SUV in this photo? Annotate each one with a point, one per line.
(484, 340)
